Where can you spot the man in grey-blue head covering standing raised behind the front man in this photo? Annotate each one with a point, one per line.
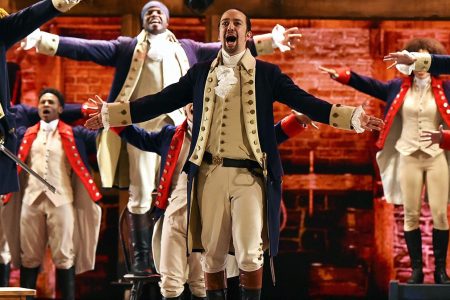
(144, 65)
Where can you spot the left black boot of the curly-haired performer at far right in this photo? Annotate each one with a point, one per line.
(414, 242)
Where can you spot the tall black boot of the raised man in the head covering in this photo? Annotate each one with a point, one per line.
(140, 232)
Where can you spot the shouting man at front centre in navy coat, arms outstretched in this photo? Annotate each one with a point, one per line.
(234, 167)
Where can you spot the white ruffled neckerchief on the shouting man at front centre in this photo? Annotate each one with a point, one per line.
(225, 73)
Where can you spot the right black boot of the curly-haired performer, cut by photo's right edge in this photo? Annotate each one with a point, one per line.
(440, 245)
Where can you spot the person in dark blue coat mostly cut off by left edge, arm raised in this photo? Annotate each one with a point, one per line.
(13, 28)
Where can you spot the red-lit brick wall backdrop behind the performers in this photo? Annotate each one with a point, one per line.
(333, 209)
